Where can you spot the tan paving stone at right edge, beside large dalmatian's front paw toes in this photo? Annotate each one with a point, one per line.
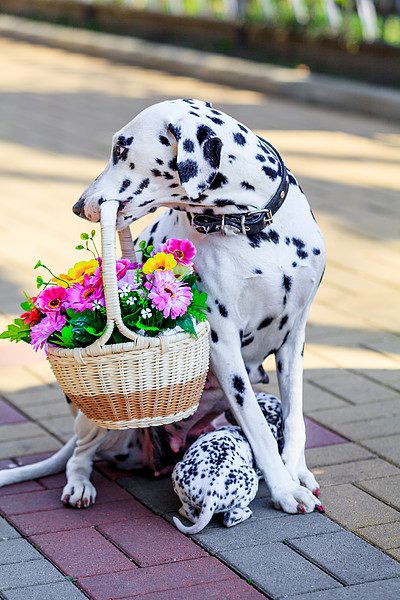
(359, 470)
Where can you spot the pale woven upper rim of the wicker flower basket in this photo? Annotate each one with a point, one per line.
(93, 350)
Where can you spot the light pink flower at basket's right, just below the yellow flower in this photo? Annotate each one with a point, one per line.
(169, 295)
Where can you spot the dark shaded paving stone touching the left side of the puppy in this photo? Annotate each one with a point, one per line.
(157, 494)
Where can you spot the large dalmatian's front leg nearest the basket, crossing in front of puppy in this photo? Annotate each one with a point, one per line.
(229, 367)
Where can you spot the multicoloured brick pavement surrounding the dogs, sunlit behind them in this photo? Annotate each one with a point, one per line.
(58, 113)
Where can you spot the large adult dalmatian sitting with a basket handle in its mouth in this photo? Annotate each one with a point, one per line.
(260, 258)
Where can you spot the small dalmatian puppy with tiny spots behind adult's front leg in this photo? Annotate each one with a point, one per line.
(217, 473)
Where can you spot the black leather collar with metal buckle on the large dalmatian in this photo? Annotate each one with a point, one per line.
(247, 223)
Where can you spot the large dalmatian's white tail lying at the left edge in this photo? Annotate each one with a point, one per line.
(49, 466)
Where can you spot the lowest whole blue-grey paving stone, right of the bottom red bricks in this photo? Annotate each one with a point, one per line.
(277, 570)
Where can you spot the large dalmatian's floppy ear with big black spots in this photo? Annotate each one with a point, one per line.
(198, 156)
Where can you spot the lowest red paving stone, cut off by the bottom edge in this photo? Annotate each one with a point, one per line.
(229, 589)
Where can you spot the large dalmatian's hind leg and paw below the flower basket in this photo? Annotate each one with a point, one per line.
(79, 491)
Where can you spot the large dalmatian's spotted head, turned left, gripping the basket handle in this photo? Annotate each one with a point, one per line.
(168, 155)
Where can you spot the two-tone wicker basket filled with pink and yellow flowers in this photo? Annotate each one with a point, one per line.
(127, 341)
